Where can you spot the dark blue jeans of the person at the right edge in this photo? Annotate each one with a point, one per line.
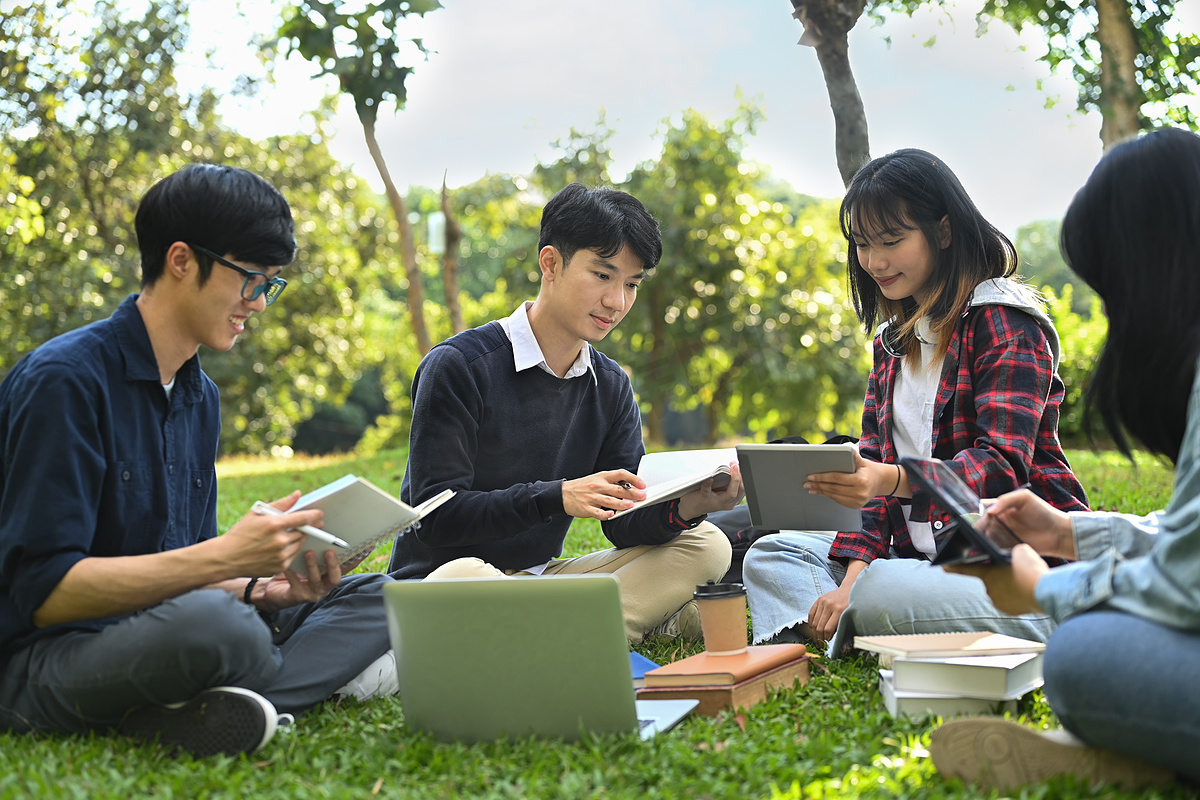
(1126, 684)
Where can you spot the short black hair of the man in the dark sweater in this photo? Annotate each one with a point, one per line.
(604, 220)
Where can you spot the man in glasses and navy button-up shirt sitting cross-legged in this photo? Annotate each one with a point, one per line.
(121, 607)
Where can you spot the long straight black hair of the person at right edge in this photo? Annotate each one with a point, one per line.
(1133, 234)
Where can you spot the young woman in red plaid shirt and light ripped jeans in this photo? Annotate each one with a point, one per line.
(965, 372)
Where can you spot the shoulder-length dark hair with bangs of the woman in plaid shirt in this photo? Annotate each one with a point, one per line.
(914, 190)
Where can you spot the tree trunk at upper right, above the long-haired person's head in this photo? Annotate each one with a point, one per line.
(1120, 94)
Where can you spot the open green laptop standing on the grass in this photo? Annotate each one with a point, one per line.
(481, 659)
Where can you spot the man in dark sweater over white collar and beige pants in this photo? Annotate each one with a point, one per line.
(532, 428)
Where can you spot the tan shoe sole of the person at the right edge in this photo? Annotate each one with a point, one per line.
(1004, 755)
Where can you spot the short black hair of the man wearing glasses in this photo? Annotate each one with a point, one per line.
(224, 209)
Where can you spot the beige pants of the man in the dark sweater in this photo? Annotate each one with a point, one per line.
(656, 580)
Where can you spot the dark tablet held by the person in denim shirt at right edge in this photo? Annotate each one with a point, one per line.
(975, 538)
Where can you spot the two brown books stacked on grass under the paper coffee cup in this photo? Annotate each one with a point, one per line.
(722, 683)
